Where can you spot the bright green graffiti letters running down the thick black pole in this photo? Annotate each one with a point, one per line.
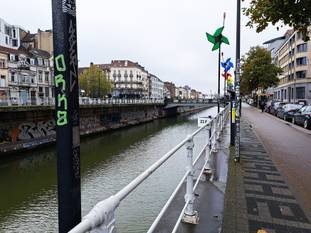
(60, 83)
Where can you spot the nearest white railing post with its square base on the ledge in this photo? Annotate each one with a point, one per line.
(190, 215)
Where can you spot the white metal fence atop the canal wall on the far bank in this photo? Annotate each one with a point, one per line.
(48, 101)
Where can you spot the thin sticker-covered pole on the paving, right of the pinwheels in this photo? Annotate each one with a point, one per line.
(237, 81)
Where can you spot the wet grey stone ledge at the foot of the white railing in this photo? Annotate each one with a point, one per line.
(209, 200)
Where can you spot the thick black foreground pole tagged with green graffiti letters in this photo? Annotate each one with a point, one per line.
(67, 113)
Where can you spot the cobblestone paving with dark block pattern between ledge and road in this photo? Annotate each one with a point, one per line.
(257, 197)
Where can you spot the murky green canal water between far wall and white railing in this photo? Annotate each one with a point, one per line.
(28, 196)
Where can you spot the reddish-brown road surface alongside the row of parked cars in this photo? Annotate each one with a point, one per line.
(290, 149)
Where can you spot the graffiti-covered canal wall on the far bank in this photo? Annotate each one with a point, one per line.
(31, 127)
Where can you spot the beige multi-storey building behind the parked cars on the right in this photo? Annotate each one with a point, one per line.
(293, 55)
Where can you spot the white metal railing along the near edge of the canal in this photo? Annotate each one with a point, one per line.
(101, 217)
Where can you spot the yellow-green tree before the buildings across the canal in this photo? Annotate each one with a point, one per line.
(94, 82)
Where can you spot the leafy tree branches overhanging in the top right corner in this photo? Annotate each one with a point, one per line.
(294, 13)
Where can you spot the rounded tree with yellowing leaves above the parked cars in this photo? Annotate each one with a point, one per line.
(258, 71)
